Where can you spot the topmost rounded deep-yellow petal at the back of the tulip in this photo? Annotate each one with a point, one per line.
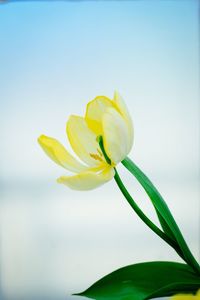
(94, 112)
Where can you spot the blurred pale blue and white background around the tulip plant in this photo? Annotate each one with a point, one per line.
(54, 58)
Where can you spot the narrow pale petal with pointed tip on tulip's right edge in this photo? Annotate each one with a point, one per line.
(121, 106)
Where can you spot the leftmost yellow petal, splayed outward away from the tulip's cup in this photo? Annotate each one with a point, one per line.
(59, 154)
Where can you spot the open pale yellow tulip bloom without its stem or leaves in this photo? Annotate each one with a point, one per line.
(106, 120)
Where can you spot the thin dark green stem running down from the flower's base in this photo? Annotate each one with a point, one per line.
(142, 216)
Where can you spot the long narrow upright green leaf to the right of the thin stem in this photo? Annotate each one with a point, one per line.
(167, 221)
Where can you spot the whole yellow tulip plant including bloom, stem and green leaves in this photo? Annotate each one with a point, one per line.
(100, 140)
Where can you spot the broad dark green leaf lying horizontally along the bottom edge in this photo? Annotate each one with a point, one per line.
(144, 281)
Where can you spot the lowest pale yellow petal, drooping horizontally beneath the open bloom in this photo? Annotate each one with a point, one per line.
(87, 180)
